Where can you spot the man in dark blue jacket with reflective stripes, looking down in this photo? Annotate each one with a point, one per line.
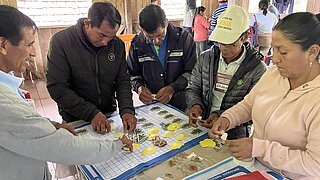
(161, 58)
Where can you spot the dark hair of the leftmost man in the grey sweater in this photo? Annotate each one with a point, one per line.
(12, 23)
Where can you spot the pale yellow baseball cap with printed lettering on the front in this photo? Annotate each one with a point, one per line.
(230, 25)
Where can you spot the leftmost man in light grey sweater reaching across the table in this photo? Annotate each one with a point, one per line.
(28, 140)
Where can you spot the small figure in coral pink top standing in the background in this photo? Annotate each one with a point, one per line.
(200, 26)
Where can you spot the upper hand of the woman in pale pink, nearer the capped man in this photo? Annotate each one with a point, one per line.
(219, 127)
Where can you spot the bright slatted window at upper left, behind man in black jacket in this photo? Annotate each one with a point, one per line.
(54, 12)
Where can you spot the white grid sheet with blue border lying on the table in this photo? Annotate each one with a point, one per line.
(126, 164)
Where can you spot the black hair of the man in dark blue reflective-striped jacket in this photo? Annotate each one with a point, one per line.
(151, 18)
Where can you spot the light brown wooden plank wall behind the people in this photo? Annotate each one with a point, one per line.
(129, 10)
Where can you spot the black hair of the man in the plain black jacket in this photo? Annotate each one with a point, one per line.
(100, 11)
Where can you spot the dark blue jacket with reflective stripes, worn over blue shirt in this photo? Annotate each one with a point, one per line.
(146, 70)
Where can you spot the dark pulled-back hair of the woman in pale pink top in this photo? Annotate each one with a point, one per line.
(302, 28)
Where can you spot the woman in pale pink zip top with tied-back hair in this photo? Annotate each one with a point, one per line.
(284, 105)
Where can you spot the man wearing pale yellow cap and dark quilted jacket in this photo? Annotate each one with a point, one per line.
(225, 73)
